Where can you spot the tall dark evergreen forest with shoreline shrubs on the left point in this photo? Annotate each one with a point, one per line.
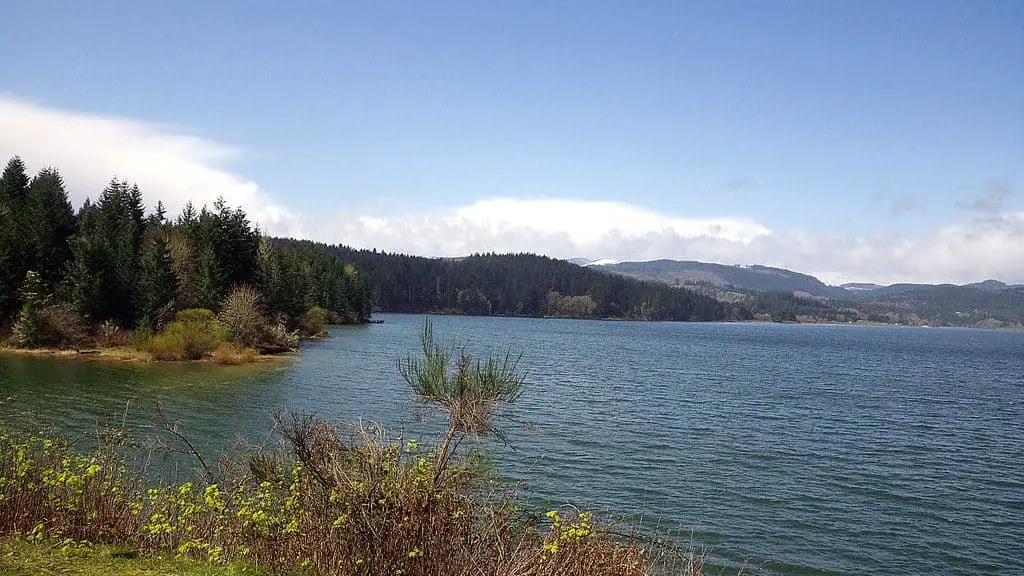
(112, 266)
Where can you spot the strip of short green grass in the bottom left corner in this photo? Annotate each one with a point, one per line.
(23, 559)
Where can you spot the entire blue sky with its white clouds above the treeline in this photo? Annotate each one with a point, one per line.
(860, 142)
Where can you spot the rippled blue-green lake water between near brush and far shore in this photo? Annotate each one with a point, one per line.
(823, 449)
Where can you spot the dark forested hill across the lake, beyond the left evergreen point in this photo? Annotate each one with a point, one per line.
(519, 285)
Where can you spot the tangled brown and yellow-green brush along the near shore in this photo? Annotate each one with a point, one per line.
(336, 504)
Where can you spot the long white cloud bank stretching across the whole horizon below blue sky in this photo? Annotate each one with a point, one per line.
(987, 242)
